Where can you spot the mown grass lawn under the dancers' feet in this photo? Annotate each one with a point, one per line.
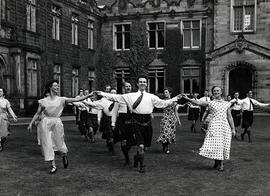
(92, 171)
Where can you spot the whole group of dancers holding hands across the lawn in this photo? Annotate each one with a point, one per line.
(127, 118)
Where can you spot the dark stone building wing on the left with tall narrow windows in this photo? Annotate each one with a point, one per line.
(45, 39)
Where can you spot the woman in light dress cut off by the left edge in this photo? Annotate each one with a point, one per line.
(5, 109)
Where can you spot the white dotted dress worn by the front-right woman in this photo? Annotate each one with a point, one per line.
(217, 142)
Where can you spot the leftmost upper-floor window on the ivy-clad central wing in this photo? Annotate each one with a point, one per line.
(121, 36)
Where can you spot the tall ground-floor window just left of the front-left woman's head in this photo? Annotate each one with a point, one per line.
(32, 77)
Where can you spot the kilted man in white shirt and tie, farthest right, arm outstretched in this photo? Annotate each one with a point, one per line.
(247, 118)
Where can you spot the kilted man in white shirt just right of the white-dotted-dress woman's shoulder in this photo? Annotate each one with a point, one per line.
(236, 111)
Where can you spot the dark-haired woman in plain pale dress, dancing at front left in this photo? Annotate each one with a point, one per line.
(51, 127)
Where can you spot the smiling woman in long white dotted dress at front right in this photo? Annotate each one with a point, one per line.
(217, 142)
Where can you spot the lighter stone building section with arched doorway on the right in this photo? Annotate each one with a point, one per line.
(240, 58)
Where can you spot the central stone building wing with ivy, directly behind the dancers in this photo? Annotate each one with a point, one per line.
(178, 32)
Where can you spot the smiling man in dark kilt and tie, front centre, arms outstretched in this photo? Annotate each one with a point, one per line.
(141, 104)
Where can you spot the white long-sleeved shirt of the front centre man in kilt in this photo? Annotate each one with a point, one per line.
(146, 106)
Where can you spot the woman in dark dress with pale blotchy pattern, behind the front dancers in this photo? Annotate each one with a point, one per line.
(168, 123)
